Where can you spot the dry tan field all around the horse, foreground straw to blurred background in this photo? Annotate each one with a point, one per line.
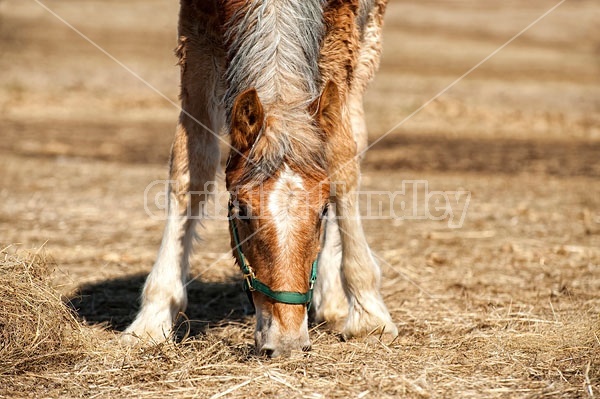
(507, 306)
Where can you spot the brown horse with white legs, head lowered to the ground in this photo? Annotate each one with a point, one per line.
(258, 68)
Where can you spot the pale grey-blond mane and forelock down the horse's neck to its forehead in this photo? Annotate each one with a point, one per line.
(273, 47)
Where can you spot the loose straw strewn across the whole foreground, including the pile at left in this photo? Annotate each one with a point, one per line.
(447, 352)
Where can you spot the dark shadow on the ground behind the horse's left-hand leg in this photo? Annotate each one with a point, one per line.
(114, 303)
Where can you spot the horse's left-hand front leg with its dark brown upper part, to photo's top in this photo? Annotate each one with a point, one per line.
(195, 157)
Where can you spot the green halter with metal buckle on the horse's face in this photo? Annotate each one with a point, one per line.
(251, 283)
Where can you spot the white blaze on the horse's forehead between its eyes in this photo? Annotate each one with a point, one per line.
(284, 205)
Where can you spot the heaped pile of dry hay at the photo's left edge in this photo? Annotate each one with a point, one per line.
(36, 329)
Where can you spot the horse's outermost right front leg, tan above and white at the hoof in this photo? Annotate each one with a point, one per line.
(360, 274)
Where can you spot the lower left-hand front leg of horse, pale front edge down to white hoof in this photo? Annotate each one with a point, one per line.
(194, 160)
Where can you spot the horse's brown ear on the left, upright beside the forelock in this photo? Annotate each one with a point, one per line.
(246, 120)
